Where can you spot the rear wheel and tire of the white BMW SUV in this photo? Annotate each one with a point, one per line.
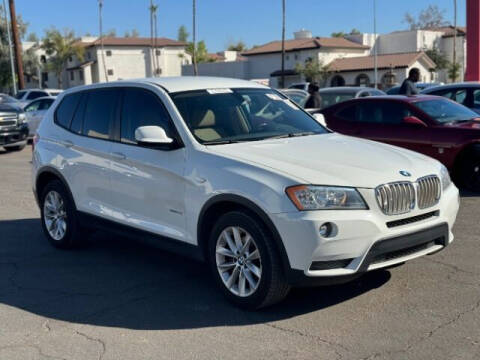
(71, 234)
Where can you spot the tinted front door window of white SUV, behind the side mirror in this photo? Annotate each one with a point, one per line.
(142, 108)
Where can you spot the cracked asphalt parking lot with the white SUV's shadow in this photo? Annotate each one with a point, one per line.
(118, 299)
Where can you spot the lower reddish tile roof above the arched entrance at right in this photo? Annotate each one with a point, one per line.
(386, 61)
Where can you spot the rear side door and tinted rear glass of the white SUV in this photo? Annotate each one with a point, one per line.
(89, 122)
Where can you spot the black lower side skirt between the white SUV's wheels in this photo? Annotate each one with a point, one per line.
(164, 243)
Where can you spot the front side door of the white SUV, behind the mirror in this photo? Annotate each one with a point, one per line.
(148, 183)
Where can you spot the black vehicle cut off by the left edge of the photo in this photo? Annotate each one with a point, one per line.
(13, 127)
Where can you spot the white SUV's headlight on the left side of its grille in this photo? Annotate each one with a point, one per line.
(307, 197)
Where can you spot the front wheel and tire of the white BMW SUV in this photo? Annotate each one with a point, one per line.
(257, 291)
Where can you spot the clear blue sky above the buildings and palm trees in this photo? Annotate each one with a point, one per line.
(220, 22)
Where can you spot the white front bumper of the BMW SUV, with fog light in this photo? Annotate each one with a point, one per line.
(364, 240)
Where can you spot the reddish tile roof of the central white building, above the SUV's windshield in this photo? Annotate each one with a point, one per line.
(301, 44)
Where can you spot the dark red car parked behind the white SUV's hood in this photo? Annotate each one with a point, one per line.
(432, 125)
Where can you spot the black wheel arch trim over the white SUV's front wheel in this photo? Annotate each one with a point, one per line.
(223, 203)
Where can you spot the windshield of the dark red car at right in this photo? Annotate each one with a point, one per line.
(444, 111)
